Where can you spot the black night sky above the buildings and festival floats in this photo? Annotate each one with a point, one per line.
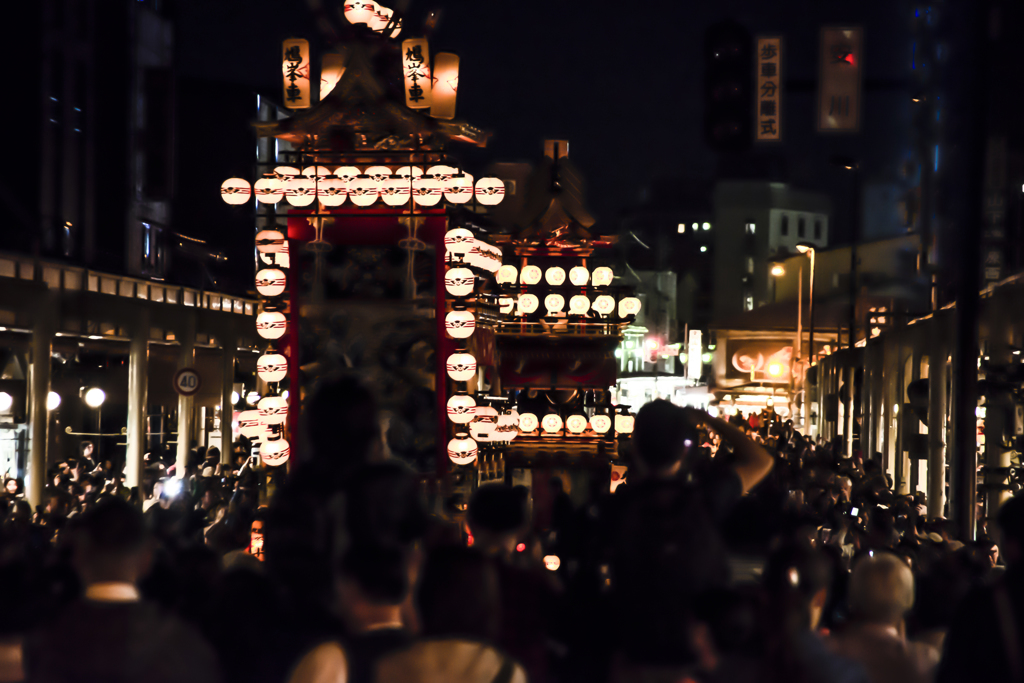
(622, 81)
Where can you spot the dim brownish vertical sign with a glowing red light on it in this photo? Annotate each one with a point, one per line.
(839, 90)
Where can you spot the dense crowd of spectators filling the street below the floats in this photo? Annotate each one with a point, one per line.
(735, 551)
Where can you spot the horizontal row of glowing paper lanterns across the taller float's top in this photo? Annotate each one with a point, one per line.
(365, 188)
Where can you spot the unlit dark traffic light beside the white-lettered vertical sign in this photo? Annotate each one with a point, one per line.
(729, 88)
